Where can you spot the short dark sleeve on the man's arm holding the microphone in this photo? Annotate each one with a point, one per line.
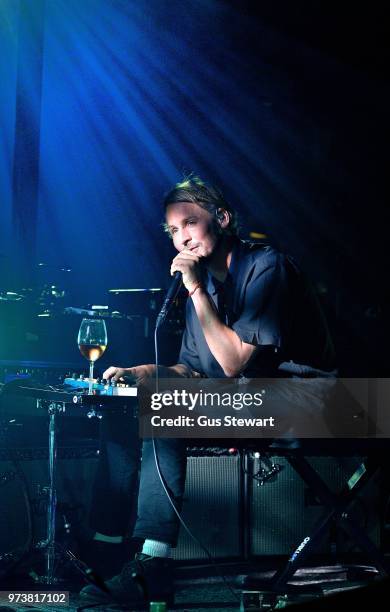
(263, 318)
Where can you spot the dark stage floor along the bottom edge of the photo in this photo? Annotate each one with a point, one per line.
(198, 589)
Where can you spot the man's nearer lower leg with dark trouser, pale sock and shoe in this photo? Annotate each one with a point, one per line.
(150, 575)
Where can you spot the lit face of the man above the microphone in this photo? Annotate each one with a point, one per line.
(192, 227)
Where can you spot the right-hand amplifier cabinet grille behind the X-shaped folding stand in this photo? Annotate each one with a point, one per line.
(284, 509)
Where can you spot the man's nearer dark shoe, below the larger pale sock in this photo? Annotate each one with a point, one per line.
(143, 580)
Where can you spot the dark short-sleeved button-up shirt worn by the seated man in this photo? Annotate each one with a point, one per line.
(268, 303)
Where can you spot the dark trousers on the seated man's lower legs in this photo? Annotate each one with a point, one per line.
(121, 475)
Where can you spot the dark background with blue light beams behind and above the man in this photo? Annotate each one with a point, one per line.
(106, 103)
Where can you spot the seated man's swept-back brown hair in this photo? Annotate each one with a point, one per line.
(193, 189)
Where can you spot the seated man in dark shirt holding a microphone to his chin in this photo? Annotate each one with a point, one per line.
(249, 313)
